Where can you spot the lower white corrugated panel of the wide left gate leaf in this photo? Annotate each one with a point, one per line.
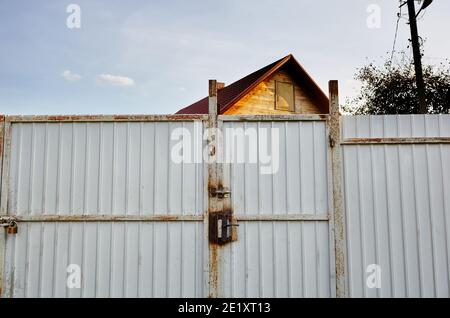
(116, 259)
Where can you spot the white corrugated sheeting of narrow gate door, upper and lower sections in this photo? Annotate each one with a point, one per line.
(280, 258)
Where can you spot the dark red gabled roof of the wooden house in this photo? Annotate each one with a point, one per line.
(229, 95)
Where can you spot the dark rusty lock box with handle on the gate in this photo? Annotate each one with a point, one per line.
(221, 227)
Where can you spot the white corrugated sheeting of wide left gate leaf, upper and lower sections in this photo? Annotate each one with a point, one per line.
(104, 169)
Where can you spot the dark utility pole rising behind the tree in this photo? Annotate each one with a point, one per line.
(417, 56)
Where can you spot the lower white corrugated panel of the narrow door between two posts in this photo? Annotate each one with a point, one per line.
(278, 259)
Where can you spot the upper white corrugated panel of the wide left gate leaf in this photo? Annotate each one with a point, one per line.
(101, 168)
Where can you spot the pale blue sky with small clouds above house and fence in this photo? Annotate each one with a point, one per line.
(155, 57)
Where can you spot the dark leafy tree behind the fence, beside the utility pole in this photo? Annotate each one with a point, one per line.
(391, 89)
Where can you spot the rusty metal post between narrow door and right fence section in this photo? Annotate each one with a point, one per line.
(338, 204)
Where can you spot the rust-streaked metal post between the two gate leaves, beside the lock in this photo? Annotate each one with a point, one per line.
(214, 203)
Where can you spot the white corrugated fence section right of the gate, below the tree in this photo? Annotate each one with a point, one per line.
(398, 207)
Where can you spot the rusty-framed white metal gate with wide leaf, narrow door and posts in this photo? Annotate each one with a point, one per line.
(103, 198)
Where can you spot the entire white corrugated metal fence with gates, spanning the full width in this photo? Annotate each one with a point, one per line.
(104, 194)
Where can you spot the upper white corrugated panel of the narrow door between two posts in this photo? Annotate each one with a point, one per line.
(300, 184)
